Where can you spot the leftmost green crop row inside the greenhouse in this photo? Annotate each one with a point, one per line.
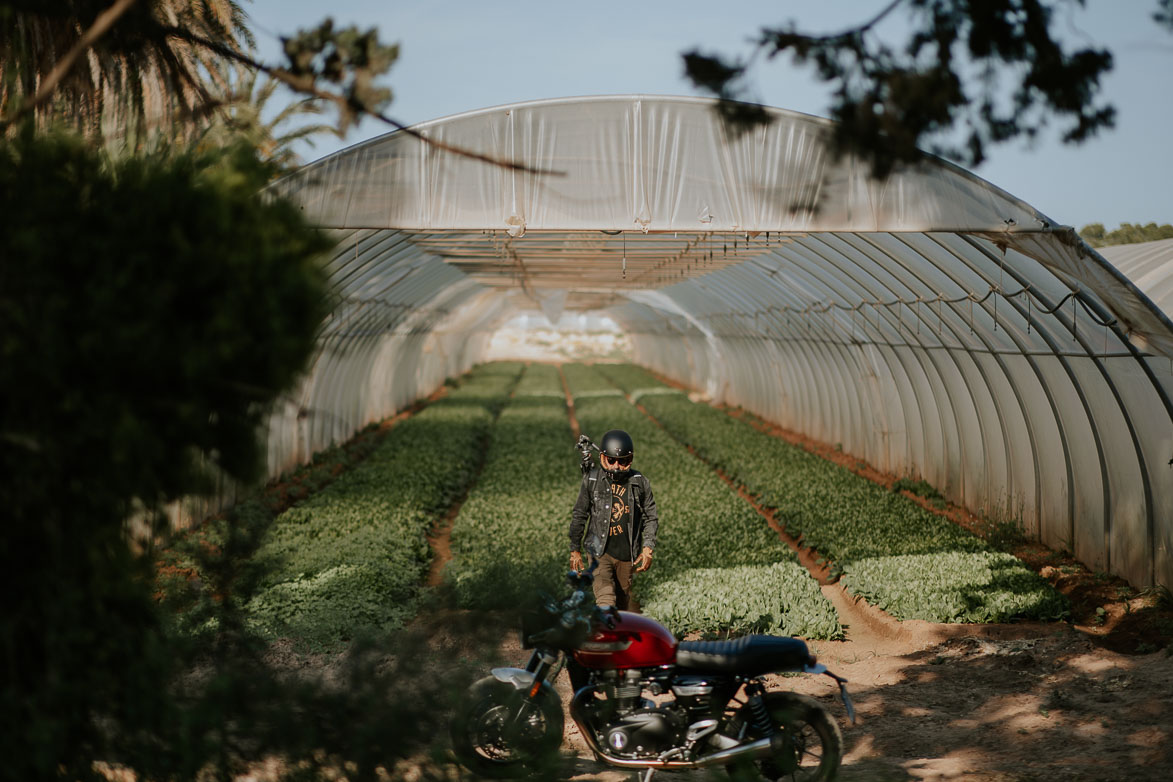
(352, 557)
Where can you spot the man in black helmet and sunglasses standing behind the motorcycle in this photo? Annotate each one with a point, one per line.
(618, 512)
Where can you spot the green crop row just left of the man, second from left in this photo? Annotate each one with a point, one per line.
(510, 540)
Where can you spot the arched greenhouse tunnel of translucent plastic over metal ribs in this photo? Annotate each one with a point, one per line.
(930, 324)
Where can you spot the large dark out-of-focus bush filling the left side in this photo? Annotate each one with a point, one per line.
(150, 311)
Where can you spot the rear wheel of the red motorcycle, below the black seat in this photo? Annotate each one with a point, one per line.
(808, 746)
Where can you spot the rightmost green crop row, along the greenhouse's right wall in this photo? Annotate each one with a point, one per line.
(869, 534)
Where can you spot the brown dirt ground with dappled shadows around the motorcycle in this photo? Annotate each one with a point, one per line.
(985, 703)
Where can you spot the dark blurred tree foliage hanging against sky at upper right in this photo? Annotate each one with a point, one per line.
(982, 73)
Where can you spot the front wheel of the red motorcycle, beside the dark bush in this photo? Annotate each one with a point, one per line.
(504, 735)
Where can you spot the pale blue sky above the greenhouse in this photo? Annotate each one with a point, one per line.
(459, 56)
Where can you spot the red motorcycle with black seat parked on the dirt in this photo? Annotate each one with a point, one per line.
(645, 702)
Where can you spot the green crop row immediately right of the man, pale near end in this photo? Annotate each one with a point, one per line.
(706, 531)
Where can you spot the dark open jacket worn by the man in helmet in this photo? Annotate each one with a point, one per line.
(594, 506)
